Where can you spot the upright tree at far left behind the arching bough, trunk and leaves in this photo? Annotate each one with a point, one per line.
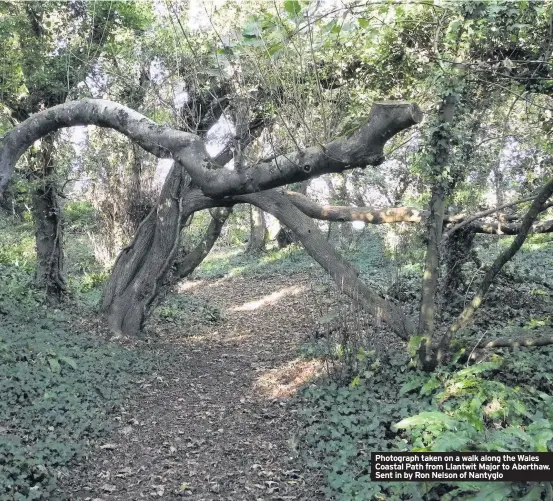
(40, 70)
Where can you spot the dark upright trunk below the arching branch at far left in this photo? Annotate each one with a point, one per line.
(48, 225)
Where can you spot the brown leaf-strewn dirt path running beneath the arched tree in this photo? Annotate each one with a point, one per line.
(219, 424)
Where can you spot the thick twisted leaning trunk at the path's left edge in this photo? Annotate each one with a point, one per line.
(142, 267)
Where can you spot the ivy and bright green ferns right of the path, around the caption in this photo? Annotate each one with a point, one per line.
(458, 408)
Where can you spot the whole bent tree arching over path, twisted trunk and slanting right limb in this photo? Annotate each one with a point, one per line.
(194, 183)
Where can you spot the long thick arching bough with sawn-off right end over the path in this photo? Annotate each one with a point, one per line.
(364, 147)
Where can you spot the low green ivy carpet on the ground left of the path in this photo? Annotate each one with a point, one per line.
(57, 390)
